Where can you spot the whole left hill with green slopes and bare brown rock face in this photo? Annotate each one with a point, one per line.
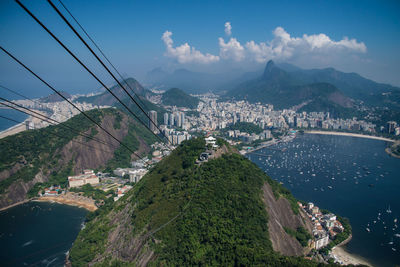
(46, 156)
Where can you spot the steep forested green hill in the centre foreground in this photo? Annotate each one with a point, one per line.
(182, 214)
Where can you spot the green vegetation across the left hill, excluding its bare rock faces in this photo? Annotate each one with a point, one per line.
(36, 151)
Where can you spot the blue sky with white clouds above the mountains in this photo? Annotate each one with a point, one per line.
(208, 36)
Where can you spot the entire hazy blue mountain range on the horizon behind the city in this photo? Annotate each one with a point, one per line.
(286, 85)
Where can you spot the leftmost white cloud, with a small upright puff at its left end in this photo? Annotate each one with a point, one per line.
(185, 53)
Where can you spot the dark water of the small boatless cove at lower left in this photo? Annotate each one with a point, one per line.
(38, 234)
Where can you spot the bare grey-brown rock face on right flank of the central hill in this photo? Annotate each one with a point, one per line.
(280, 215)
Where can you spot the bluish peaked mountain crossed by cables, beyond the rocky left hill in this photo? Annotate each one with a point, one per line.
(107, 99)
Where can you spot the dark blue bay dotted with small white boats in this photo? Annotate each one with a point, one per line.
(352, 177)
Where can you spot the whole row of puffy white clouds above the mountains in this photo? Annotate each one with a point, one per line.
(316, 47)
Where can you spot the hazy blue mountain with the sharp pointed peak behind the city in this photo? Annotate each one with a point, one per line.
(284, 90)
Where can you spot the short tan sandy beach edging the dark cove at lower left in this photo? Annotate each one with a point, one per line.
(71, 199)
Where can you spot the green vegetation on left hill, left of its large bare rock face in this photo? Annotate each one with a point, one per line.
(36, 149)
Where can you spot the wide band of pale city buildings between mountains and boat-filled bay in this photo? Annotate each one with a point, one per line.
(217, 115)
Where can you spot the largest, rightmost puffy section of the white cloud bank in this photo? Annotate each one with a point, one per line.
(283, 46)
